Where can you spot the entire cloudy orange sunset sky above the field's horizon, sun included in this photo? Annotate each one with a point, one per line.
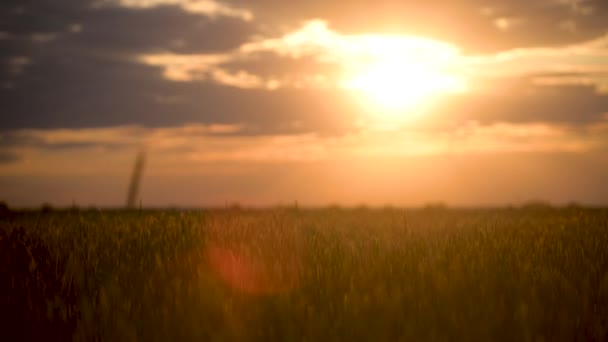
(268, 102)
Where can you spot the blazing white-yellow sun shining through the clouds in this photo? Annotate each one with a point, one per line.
(399, 77)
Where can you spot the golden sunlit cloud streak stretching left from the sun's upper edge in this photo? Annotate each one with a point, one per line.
(313, 42)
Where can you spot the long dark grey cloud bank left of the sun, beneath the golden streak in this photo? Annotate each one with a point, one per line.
(127, 93)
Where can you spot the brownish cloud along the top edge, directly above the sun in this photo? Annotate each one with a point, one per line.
(471, 24)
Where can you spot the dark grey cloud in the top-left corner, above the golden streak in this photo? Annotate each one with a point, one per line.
(80, 27)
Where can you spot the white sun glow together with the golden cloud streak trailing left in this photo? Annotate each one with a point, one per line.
(394, 77)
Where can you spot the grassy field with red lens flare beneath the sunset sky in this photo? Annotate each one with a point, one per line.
(311, 275)
